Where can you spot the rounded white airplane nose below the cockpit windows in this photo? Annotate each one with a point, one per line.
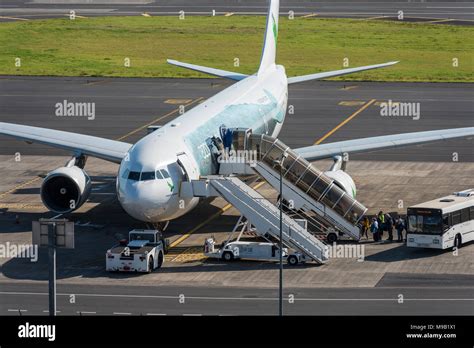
(146, 200)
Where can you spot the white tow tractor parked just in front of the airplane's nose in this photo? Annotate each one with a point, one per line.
(143, 252)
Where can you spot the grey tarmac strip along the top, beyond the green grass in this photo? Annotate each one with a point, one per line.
(442, 12)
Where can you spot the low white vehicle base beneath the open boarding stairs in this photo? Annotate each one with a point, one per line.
(263, 251)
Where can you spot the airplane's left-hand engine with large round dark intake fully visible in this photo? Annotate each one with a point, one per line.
(65, 189)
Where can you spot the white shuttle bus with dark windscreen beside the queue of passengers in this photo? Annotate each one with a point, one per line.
(442, 223)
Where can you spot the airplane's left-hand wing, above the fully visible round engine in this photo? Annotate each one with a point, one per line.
(109, 150)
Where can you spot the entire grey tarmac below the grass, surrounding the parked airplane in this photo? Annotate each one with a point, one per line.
(432, 282)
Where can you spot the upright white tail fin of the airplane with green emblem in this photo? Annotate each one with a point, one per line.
(270, 39)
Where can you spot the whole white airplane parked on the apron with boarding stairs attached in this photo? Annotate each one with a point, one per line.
(152, 170)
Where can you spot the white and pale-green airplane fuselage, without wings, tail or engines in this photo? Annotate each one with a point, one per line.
(150, 175)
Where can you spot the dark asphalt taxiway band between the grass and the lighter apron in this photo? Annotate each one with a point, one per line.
(124, 107)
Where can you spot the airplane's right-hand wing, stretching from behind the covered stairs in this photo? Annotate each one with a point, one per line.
(316, 152)
